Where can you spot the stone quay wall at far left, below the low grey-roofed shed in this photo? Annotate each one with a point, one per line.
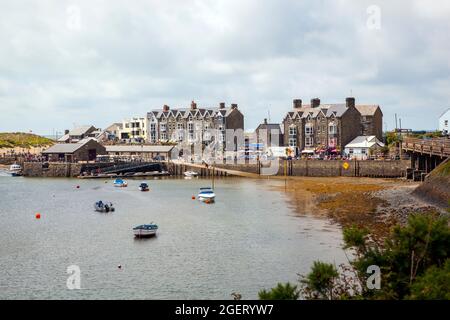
(38, 169)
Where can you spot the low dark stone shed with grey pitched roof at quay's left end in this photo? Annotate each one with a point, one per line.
(86, 150)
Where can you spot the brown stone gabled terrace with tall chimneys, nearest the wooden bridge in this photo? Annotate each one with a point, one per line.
(316, 127)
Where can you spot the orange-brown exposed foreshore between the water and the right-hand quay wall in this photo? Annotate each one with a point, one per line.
(376, 204)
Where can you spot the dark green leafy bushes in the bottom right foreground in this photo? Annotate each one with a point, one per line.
(414, 262)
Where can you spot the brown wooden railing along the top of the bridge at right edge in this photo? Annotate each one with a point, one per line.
(437, 147)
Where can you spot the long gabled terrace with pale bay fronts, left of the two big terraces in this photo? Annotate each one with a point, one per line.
(193, 124)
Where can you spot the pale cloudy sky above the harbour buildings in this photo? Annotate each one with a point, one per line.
(66, 63)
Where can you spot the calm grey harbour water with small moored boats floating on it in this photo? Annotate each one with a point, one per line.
(248, 240)
